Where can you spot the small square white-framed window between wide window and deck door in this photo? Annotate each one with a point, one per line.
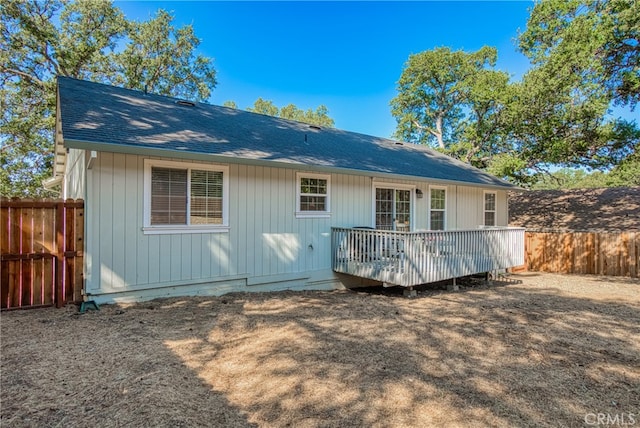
(313, 195)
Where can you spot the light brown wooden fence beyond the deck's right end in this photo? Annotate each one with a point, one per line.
(598, 253)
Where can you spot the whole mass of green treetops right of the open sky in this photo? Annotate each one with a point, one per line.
(585, 56)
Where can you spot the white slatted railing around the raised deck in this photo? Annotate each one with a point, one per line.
(413, 258)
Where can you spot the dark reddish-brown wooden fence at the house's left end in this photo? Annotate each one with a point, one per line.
(41, 252)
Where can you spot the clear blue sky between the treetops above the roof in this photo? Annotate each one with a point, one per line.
(345, 55)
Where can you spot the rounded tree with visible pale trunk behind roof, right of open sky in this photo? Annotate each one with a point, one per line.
(456, 102)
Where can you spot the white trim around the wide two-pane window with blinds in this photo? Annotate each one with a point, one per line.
(149, 229)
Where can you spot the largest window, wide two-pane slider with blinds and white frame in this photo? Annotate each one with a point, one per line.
(181, 197)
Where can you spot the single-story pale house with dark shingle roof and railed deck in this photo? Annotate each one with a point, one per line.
(185, 198)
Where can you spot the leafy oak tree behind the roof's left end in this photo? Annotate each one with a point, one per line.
(89, 40)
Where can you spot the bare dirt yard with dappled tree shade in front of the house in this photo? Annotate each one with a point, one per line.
(534, 350)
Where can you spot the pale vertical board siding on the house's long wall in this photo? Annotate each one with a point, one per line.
(266, 247)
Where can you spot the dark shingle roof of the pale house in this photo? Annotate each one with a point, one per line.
(107, 118)
